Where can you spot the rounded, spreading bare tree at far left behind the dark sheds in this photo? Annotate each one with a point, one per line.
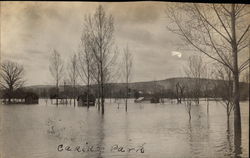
(11, 77)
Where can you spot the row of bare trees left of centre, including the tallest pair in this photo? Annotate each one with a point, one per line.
(96, 61)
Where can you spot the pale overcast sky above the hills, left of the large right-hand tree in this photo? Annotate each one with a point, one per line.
(30, 30)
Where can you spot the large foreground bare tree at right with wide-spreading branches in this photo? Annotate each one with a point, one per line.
(221, 32)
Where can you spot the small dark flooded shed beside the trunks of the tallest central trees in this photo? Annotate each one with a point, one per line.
(84, 99)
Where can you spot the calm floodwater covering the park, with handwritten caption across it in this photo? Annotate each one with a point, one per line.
(146, 130)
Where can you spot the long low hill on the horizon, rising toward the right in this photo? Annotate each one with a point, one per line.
(165, 87)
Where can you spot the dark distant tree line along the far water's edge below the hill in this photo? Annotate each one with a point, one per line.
(217, 89)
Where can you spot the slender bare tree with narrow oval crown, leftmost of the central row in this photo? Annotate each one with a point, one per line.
(56, 69)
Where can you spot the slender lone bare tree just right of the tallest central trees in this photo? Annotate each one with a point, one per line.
(127, 71)
